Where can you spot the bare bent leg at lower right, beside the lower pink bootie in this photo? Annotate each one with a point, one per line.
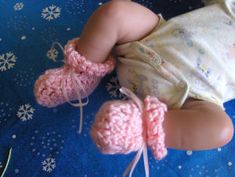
(199, 125)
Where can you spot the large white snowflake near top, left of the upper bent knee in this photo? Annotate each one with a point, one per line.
(50, 13)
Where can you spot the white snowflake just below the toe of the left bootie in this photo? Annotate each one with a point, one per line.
(25, 112)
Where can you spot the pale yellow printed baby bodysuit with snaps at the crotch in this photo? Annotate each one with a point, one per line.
(191, 55)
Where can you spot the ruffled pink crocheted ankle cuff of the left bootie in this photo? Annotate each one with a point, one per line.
(81, 64)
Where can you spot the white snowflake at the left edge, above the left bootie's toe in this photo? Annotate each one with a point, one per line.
(7, 61)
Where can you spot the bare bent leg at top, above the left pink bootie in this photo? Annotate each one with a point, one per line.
(115, 22)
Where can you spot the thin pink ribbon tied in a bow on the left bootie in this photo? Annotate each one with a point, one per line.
(75, 79)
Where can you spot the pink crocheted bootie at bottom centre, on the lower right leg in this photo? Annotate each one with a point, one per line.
(125, 126)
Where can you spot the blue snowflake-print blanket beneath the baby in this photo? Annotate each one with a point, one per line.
(45, 141)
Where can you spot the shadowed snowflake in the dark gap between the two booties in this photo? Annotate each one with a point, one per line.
(113, 88)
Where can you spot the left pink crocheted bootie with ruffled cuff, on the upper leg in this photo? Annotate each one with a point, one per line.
(75, 80)
